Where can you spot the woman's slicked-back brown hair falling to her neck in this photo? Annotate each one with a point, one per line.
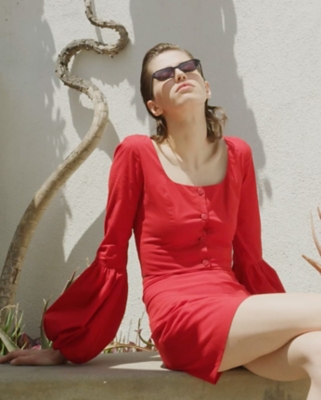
(215, 116)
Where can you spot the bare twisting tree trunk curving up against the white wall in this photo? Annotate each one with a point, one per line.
(32, 215)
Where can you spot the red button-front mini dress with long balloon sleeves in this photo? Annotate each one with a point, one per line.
(200, 255)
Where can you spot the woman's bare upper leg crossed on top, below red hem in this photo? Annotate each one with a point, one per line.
(265, 323)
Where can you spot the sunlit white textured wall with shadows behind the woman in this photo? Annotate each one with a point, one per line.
(262, 59)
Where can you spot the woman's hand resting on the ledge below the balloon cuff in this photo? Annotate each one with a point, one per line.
(34, 357)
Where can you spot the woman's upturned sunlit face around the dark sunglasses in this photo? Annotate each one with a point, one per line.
(182, 89)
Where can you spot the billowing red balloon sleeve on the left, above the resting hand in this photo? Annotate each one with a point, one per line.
(85, 318)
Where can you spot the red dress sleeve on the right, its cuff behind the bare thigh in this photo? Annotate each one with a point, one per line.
(249, 267)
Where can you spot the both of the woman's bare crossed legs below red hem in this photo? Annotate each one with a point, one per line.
(278, 336)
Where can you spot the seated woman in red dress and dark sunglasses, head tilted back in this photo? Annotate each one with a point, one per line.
(190, 196)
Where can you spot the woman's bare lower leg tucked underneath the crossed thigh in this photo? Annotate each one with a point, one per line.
(300, 358)
